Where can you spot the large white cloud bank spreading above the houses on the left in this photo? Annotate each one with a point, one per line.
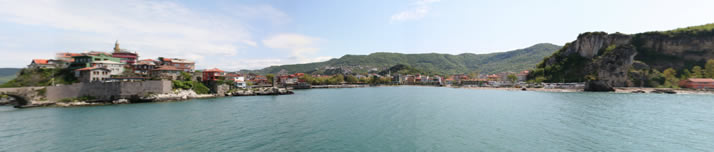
(153, 28)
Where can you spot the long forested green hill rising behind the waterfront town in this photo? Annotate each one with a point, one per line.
(516, 60)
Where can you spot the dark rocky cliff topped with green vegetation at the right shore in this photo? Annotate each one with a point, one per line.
(605, 60)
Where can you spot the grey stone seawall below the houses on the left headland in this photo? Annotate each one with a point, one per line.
(110, 90)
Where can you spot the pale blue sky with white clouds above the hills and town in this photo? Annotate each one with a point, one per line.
(253, 34)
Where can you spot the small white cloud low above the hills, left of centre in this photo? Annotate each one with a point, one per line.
(300, 46)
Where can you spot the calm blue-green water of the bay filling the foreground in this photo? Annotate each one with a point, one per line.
(375, 119)
